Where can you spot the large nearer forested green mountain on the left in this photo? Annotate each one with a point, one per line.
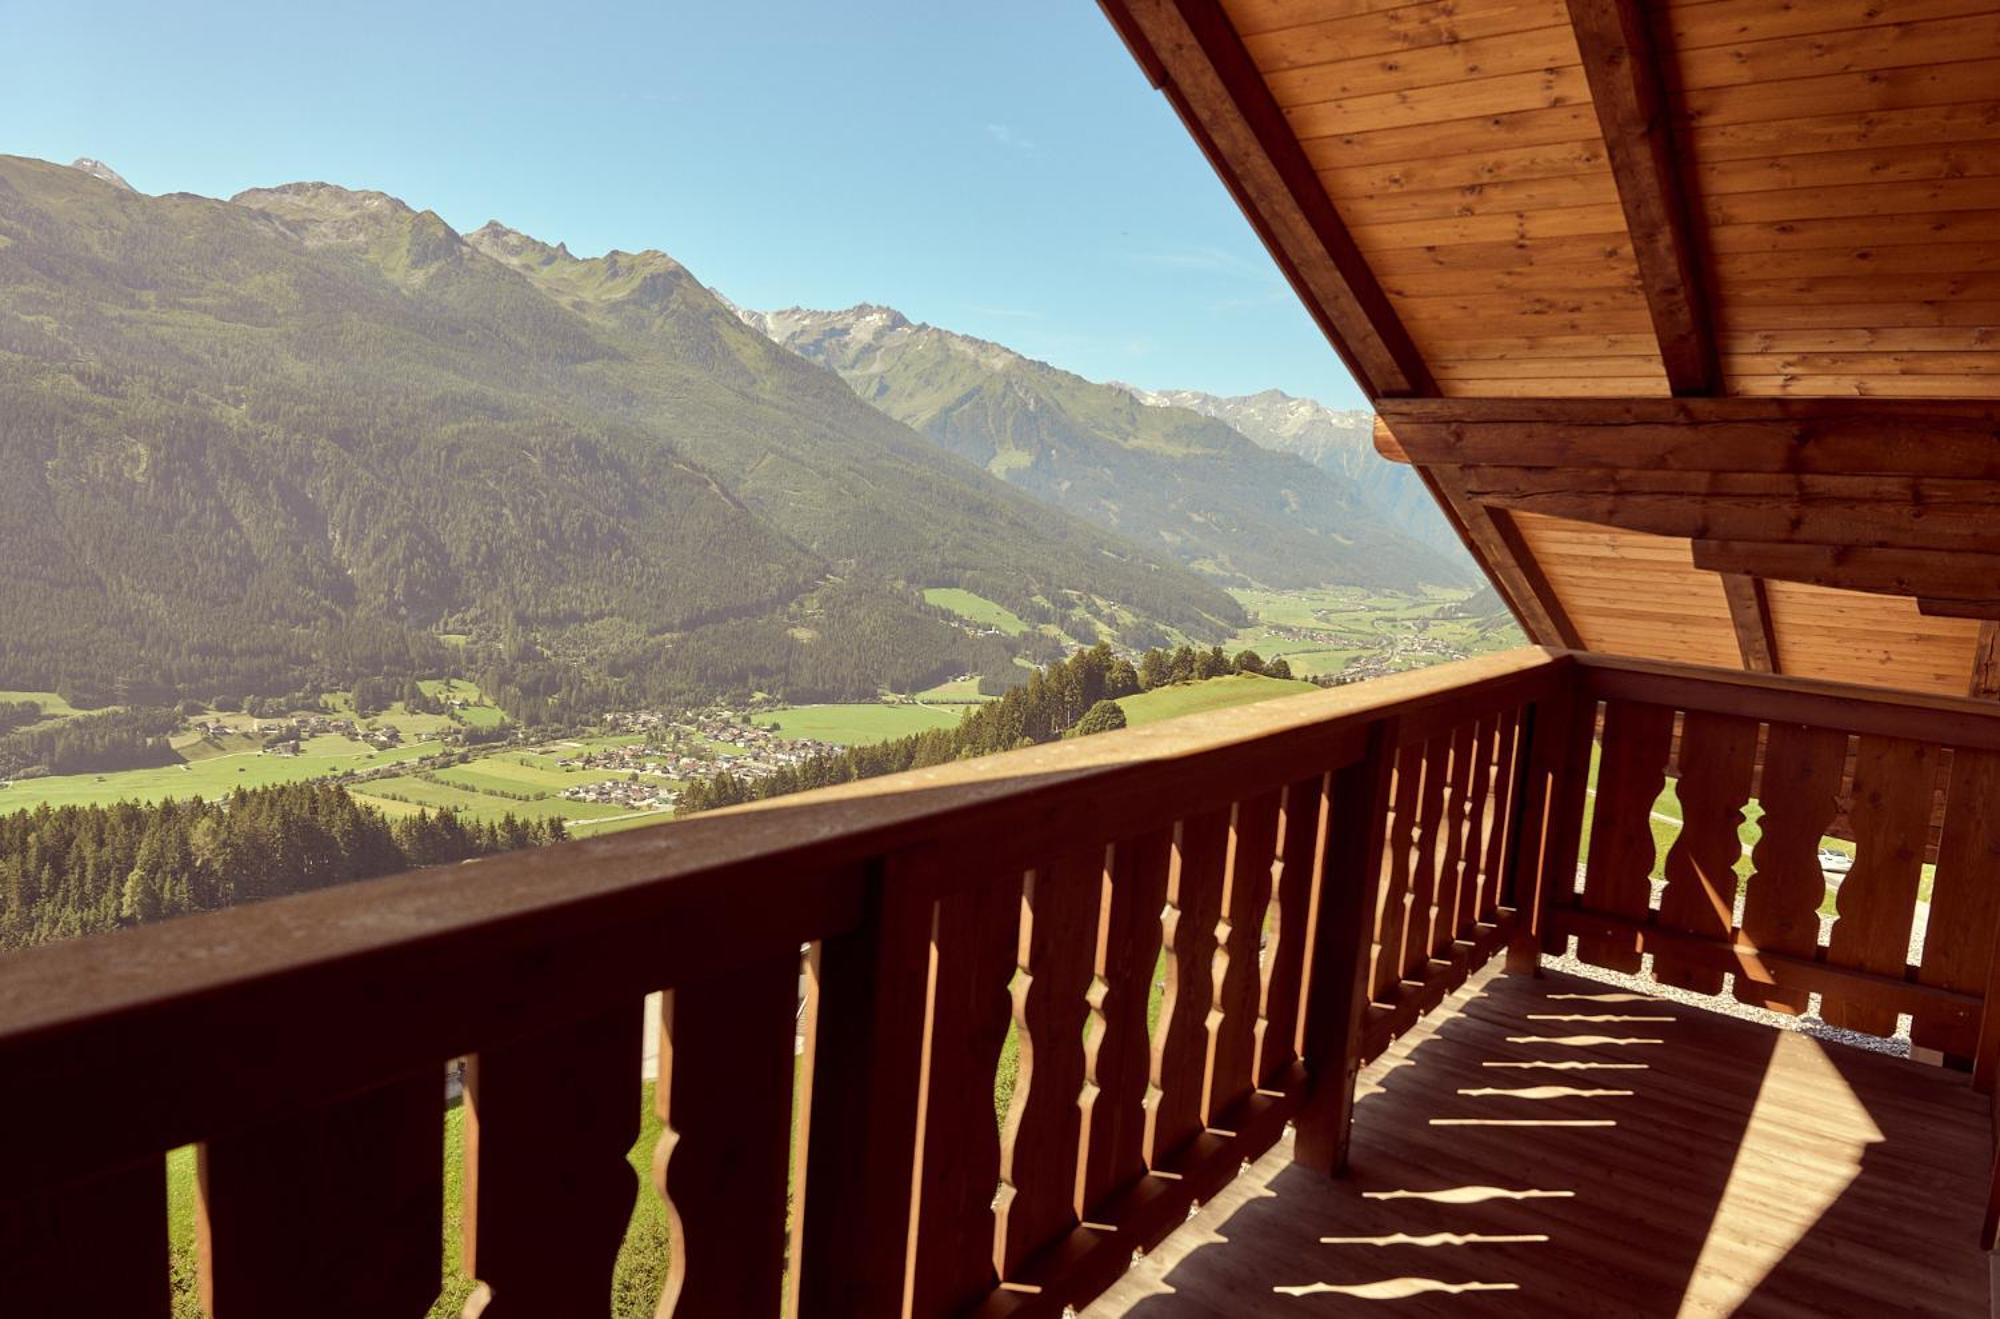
(303, 433)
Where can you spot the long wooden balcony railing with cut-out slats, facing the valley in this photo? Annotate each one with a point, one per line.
(1299, 880)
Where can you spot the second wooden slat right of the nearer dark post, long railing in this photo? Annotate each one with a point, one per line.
(1041, 1138)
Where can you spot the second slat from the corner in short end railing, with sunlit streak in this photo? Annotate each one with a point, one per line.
(1717, 762)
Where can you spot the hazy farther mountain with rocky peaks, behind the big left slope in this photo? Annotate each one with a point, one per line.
(1169, 479)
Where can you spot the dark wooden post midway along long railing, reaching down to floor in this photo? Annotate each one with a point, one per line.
(1337, 956)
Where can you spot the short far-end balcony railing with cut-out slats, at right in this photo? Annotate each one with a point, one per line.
(1805, 754)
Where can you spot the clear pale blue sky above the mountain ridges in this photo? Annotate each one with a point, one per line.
(1003, 171)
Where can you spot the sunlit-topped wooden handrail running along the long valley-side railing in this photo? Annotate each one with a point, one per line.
(355, 986)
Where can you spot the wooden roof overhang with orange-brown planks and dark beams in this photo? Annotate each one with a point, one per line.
(1687, 311)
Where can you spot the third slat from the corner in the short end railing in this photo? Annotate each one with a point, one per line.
(1803, 768)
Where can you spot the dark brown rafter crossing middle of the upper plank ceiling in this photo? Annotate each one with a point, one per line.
(1631, 93)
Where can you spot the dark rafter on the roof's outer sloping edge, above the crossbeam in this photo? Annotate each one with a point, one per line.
(1193, 53)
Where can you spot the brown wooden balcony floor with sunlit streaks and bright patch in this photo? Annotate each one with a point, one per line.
(1693, 1166)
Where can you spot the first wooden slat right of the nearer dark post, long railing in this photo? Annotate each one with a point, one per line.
(973, 956)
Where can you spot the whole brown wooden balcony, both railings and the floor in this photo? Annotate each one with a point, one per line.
(1301, 884)
